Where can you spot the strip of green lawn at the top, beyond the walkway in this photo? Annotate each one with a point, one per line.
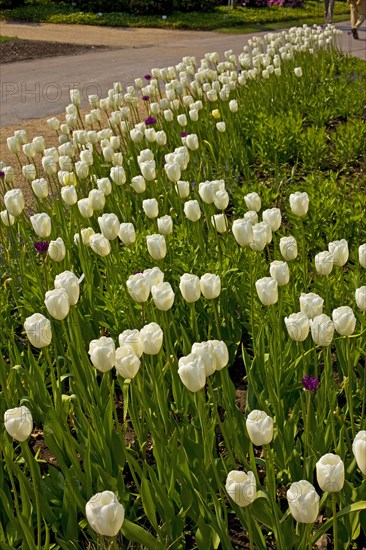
(240, 19)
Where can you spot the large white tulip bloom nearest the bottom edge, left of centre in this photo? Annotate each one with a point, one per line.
(105, 514)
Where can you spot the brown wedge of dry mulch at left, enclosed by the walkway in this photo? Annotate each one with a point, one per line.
(22, 50)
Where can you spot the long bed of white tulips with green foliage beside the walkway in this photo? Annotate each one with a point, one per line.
(183, 310)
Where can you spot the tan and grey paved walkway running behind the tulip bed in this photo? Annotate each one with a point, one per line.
(39, 88)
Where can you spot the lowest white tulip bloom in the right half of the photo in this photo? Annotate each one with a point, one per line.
(303, 501)
